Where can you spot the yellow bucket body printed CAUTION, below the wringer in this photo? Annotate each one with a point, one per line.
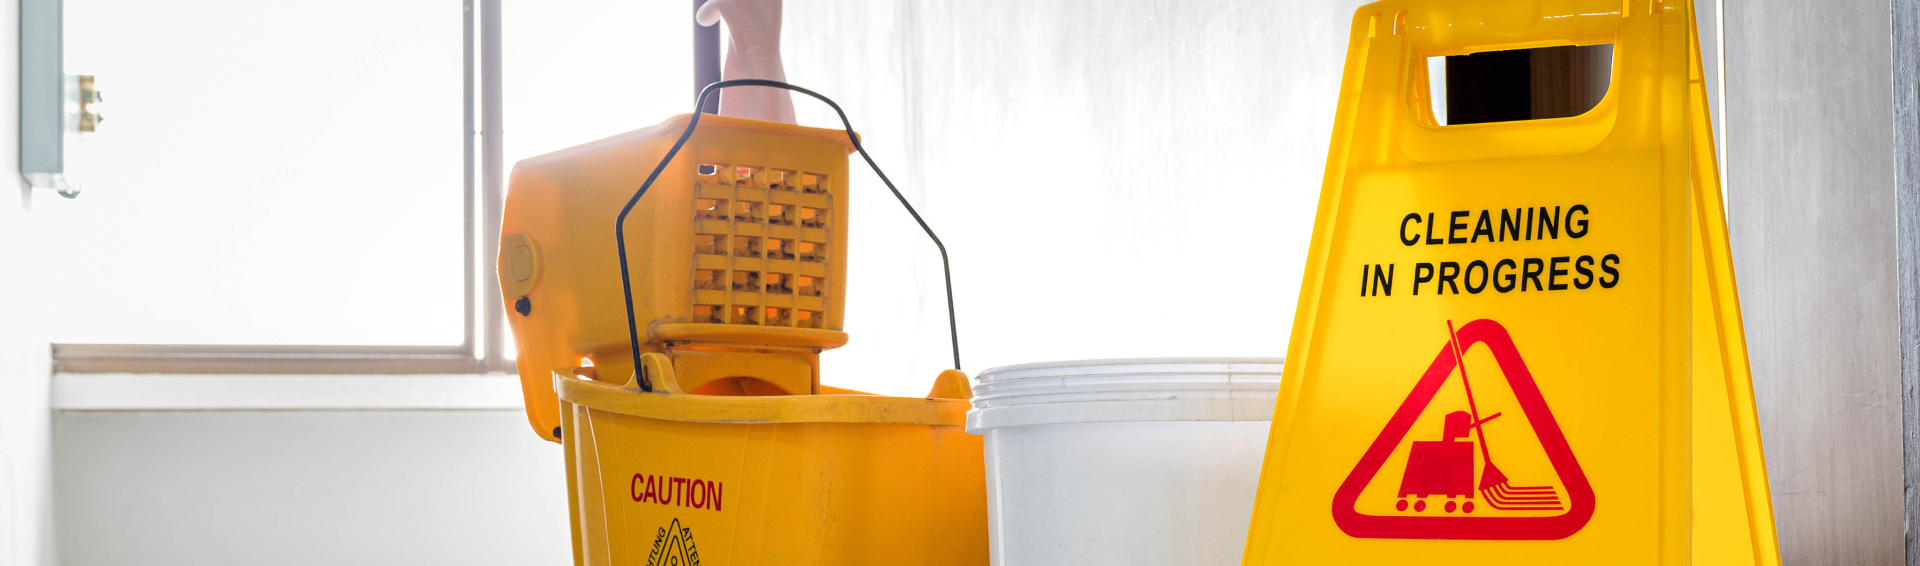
(773, 481)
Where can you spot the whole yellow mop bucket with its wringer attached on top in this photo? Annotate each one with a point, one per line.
(723, 448)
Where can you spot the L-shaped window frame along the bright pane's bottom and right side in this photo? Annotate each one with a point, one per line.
(485, 339)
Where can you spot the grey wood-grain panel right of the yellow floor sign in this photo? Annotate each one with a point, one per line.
(1810, 164)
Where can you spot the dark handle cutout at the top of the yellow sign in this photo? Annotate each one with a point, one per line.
(1518, 85)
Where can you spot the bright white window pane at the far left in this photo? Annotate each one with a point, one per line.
(266, 174)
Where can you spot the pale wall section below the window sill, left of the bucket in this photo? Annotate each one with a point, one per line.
(308, 488)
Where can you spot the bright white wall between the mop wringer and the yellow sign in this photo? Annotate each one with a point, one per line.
(1115, 179)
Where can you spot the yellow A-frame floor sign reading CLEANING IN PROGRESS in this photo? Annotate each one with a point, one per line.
(1518, 342)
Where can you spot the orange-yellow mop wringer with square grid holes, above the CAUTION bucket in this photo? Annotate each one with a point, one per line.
(702, 248)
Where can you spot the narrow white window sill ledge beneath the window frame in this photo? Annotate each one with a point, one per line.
(195, 392)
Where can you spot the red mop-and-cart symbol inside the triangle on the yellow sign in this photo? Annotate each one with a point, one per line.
(1445, 467)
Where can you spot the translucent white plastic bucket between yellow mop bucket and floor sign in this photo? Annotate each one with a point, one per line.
(1124, 461)
